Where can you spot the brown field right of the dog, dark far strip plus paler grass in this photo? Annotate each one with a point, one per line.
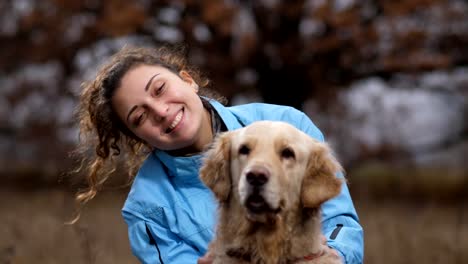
(412, 215)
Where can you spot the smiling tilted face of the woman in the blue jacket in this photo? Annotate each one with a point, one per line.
(163, 108)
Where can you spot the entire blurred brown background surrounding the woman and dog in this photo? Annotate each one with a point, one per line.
(386, 81)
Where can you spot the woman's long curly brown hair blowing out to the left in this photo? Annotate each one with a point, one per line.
(104, 140)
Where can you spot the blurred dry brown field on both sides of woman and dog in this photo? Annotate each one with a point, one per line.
(396, 231)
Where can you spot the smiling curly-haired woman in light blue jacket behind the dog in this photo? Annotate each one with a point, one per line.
(149, 104)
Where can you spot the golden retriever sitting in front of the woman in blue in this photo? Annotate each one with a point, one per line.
(270, 180)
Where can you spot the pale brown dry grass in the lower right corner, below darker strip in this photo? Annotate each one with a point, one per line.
(405, 231)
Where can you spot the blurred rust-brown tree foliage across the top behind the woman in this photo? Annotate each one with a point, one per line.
(287, 51)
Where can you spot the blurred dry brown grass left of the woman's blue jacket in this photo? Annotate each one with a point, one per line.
(32, 229)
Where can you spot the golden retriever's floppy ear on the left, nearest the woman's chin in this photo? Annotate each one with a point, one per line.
(215, 171)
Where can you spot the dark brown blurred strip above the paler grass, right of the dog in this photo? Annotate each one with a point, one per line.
(382, 180)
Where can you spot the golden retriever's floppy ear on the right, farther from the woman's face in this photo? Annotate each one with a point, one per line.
(320, 182)
